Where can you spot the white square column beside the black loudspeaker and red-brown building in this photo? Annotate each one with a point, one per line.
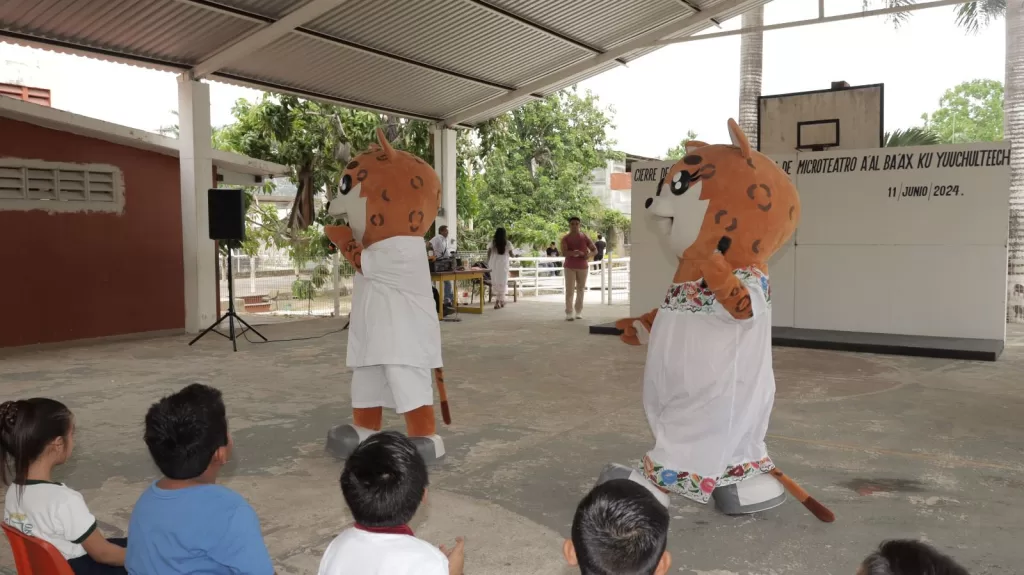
(196, 162)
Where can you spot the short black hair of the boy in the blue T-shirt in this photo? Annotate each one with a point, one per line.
(185, 430)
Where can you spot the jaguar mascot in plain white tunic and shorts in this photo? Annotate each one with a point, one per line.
(390, 200)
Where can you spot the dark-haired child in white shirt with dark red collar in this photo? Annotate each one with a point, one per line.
(385, 482)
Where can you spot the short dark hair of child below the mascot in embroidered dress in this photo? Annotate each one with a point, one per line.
(620, 529)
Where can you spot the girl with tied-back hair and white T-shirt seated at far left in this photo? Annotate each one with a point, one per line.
(37, 435)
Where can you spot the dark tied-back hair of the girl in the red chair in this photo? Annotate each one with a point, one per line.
(27, 428)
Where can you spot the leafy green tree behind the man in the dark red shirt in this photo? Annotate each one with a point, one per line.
(537, 167)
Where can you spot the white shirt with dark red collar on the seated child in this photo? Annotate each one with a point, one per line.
(360, 553)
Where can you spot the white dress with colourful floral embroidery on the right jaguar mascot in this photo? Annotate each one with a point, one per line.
(709, 389)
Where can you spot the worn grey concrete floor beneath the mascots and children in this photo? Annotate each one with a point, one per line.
(898, 448)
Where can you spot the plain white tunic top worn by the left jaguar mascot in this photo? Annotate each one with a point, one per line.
(395, 319)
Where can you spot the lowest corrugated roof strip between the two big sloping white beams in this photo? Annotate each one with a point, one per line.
(311, 65)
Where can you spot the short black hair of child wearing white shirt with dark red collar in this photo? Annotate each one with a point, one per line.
(385, 481)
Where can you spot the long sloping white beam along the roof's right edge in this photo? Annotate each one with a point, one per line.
(645, 40)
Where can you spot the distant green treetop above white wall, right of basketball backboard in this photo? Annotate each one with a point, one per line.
(971, 112)
